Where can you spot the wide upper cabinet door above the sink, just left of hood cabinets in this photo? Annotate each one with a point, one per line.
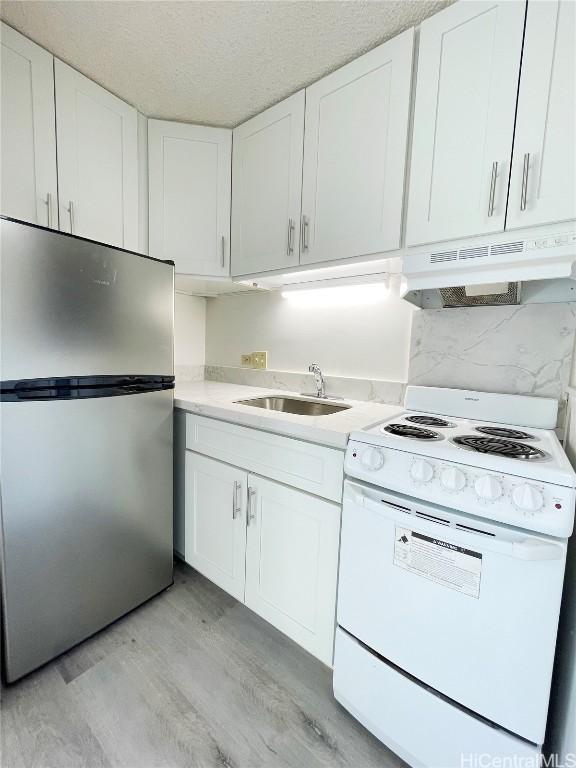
(355, 155)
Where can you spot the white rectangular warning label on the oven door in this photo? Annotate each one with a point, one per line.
(444, 563)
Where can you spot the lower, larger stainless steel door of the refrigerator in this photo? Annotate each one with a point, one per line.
(86, 518)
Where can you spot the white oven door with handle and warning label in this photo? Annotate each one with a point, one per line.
(466, 606)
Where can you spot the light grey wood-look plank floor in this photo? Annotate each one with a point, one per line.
(193, 679)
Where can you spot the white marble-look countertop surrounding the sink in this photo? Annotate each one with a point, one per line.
(216, 400)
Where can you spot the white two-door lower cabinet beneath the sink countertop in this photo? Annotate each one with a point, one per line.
(271, 546)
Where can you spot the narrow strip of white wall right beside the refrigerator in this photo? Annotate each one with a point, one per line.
(189, 332)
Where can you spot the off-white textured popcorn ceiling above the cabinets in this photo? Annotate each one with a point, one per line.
(216, 62)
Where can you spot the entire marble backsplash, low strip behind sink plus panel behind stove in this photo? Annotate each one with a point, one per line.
(524, 349)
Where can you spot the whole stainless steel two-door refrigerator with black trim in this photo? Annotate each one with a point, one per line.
(86, 369)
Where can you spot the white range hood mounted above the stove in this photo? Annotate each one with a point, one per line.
(528, 266)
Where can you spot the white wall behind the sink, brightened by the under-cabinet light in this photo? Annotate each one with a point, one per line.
(356, 341)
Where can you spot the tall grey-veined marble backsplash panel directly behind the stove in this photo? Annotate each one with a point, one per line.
(524, 349)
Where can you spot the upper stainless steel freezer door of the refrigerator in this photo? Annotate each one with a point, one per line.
(71, 307)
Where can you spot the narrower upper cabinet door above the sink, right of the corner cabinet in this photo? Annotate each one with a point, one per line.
(266, 188)
